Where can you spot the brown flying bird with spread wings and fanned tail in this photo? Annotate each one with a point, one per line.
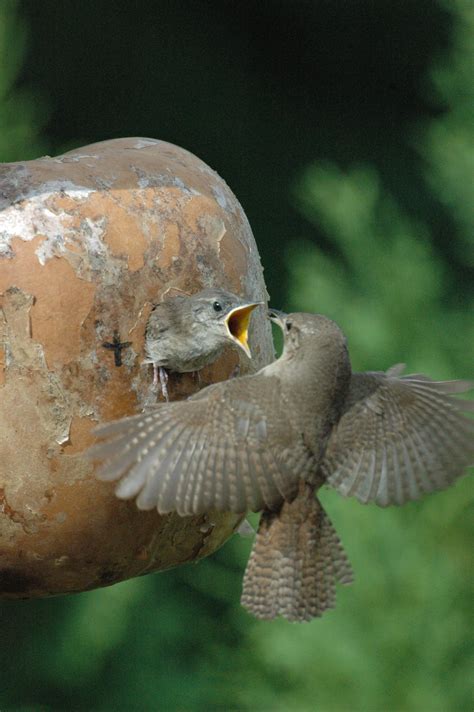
(268, 441)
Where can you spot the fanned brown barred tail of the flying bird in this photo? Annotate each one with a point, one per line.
(296, 560)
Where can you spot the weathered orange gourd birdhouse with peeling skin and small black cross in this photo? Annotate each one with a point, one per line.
(89, 242)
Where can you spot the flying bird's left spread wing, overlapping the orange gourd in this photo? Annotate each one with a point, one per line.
(209, 452)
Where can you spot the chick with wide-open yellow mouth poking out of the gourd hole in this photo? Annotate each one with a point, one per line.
(185, 333)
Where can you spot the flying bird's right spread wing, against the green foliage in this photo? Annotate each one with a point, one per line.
(399, 437)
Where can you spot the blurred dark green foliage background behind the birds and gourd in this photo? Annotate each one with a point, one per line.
(361, 195)
